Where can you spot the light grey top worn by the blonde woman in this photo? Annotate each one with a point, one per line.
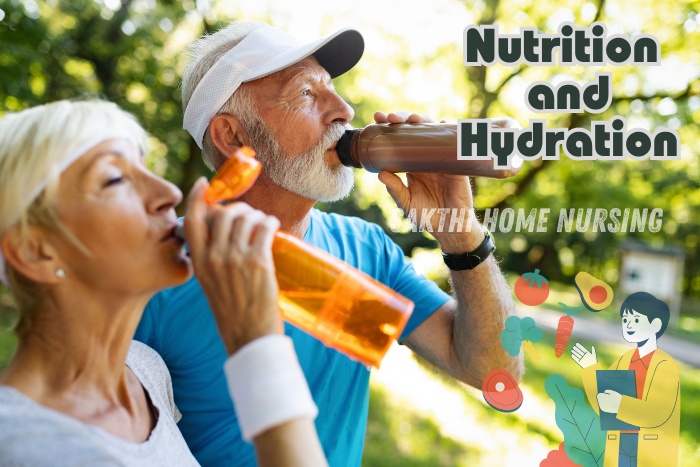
(34, 435)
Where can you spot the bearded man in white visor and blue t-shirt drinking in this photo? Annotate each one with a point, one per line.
(252, 84)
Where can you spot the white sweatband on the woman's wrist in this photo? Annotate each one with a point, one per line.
(267, 385)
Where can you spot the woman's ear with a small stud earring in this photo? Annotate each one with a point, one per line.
(31, 254)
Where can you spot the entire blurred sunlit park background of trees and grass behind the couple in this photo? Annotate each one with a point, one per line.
(131, 52)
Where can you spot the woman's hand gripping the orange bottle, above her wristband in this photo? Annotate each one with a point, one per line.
(231, 253)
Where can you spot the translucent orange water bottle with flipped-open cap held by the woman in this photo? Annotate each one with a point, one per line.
(341, 306)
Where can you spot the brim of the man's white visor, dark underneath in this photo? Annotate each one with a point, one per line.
(337, 53)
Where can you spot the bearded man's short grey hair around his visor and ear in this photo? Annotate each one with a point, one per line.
(204, 53)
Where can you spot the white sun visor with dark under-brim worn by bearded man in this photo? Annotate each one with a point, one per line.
(264, 51)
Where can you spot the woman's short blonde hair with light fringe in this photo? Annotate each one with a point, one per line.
(36, 146)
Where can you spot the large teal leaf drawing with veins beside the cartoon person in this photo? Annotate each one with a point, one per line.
(584, 441)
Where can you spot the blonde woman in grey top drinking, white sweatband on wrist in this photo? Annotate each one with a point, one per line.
(87, 237)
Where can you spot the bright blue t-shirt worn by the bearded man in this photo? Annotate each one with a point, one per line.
(178, 324)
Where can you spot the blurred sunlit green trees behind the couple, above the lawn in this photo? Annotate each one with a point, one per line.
(131, 52)
